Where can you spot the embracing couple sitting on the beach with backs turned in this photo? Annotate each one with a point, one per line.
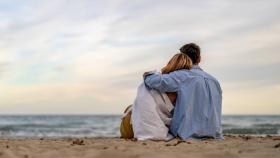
(182, 101)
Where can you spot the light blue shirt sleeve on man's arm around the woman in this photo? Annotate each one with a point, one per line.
(162, 82)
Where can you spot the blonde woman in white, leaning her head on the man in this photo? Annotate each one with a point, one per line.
(150, 115)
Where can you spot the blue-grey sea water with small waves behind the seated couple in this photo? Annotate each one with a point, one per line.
(12, 126)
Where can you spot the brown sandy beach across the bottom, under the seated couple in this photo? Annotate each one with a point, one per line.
(232, 146)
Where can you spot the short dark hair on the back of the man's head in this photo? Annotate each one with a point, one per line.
(193, 51)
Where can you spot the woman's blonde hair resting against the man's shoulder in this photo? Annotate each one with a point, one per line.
(177, 62)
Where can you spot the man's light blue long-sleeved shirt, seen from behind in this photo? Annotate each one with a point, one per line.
(197, 113)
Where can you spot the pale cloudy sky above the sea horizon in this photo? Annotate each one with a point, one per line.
(88, 56)
